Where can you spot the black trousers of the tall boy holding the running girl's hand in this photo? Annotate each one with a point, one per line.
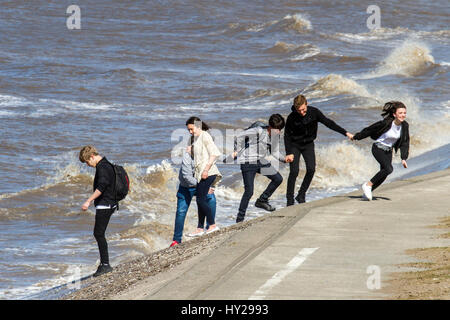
(307, 151)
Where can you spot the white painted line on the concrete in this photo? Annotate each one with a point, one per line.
(280, 275)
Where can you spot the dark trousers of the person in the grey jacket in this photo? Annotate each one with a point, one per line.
(249, 172)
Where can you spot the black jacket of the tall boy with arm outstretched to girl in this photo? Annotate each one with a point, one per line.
(301, 130)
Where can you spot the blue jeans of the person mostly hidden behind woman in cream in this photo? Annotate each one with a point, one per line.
(184, 197)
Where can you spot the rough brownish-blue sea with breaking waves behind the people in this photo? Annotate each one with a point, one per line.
(125, 76)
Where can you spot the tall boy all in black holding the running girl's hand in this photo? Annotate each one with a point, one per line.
(299, 136)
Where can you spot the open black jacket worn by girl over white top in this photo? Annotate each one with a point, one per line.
(378, 128)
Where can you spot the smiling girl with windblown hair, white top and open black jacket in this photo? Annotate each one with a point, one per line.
(390, 133)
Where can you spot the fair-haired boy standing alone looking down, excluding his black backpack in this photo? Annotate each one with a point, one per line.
(103, 198)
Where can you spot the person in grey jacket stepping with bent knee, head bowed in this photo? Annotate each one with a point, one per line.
(256, 144)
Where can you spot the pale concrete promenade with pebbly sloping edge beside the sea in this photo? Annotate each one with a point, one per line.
(351, 234)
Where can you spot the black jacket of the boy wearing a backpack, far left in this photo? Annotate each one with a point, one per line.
(104, 181)
